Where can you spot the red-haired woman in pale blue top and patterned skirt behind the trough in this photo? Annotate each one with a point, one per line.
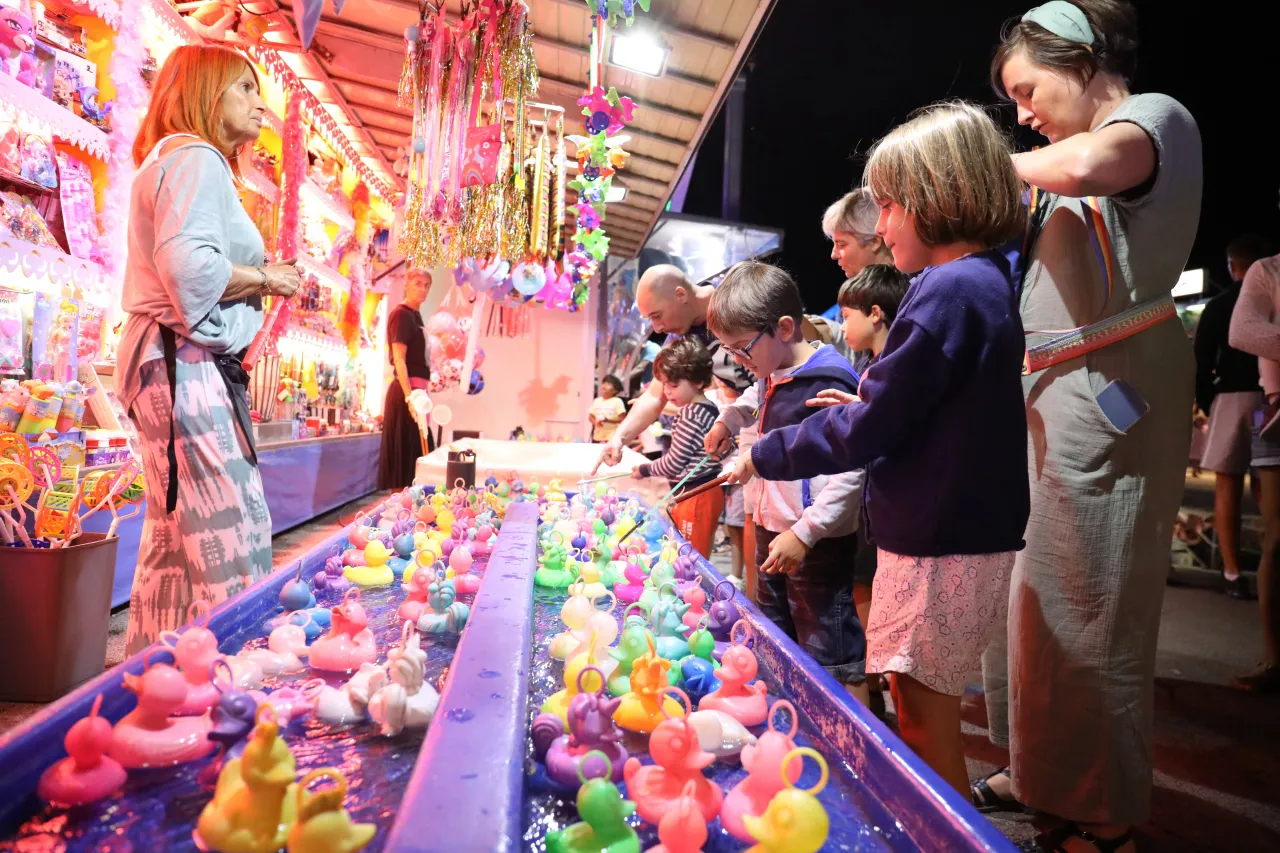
(194, 290)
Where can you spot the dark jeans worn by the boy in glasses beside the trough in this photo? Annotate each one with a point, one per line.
(815, 605)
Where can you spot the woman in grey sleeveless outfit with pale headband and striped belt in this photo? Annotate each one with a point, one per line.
(1109, 396)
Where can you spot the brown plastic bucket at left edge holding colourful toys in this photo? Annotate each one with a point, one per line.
(57, 612)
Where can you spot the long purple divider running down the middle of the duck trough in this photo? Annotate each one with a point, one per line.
(467, 793)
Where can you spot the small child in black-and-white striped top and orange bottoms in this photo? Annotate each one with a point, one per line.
(684, 368)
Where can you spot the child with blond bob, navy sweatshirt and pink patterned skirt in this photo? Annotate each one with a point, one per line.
(941, 427)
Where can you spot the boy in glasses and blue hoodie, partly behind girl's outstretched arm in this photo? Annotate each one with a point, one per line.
(806, 530)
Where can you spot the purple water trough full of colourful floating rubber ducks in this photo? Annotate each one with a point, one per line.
(458, 690)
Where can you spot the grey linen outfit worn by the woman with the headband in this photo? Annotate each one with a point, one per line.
(1073, 699)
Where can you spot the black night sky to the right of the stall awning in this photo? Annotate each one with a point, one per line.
(828, 79)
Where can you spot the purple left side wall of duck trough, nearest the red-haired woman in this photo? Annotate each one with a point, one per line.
(28, 750)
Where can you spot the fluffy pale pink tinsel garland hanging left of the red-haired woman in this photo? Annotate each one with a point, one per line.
(131, 103)
